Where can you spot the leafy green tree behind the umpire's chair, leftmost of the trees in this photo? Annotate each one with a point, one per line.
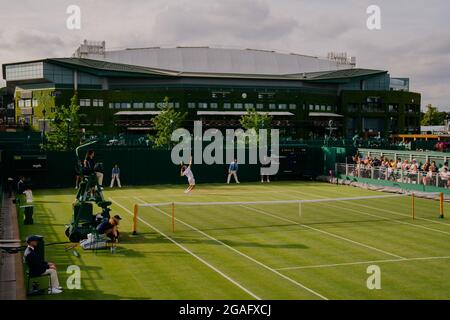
(65, 133)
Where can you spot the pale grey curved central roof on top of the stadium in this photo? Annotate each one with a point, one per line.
(220, 61)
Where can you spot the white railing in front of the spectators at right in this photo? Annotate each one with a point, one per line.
(438, 179)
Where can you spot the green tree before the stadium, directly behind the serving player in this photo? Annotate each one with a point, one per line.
(165, 123)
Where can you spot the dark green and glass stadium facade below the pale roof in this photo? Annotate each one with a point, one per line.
(357, 100)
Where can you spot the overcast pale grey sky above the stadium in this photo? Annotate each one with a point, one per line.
(414, 40)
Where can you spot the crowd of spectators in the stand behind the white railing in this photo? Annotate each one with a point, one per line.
(427, 173)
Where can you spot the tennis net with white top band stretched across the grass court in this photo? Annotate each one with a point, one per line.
(240, 215)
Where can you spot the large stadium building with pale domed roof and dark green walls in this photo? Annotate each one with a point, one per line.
(120, 91)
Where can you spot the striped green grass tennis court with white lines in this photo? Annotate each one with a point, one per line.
(256, 251)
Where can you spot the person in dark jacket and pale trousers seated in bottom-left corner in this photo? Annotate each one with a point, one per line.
(37, 267)
